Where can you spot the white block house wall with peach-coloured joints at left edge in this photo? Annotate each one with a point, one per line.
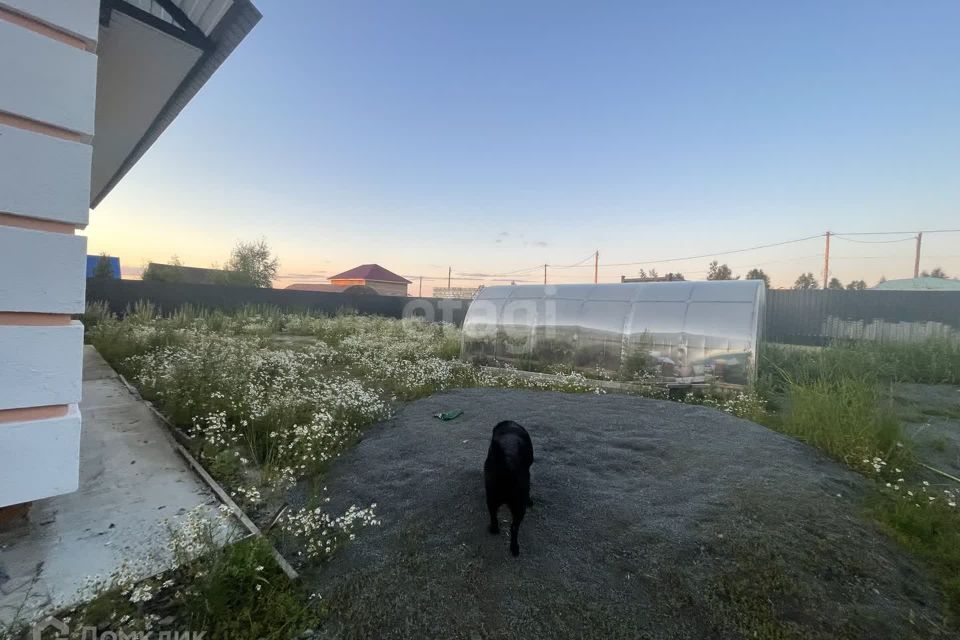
(47, 101)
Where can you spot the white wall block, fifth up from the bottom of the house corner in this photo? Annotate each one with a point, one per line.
(46, 80)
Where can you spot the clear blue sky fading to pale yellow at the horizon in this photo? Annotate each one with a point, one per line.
(494, 137)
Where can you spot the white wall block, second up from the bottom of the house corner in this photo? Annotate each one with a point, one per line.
(42, 365)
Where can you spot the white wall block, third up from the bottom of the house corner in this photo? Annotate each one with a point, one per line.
(41, 272)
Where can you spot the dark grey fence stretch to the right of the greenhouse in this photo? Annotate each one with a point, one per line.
(818, 317)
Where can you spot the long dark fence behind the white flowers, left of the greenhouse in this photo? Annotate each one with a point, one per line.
(121, 295)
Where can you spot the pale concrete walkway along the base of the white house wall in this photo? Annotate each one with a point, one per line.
(131, 481)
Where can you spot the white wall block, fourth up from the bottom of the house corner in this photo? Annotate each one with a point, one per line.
(44, 177)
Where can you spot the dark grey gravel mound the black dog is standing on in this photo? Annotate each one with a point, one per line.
(652, 520)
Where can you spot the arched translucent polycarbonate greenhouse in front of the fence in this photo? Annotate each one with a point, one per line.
(674, 333)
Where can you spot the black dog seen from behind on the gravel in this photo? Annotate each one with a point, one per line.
(506, 474)
